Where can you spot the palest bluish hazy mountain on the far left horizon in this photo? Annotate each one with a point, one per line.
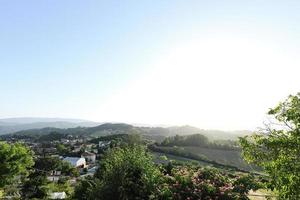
(12, 125)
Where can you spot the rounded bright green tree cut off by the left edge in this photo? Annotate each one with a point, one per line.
(15, 160)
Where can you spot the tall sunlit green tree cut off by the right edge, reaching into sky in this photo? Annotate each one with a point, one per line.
(277, 148)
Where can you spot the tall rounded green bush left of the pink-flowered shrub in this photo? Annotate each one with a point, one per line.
(127, 173)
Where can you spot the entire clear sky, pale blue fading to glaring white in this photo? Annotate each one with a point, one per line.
(211, 64)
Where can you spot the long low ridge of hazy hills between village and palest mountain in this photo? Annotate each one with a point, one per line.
(121, 128)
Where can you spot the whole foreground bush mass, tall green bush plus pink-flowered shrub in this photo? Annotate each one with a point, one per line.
(129, 173)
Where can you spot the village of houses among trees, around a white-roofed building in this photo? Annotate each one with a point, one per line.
(66, 159)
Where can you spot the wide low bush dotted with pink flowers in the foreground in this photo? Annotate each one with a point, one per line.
(205, 183)
